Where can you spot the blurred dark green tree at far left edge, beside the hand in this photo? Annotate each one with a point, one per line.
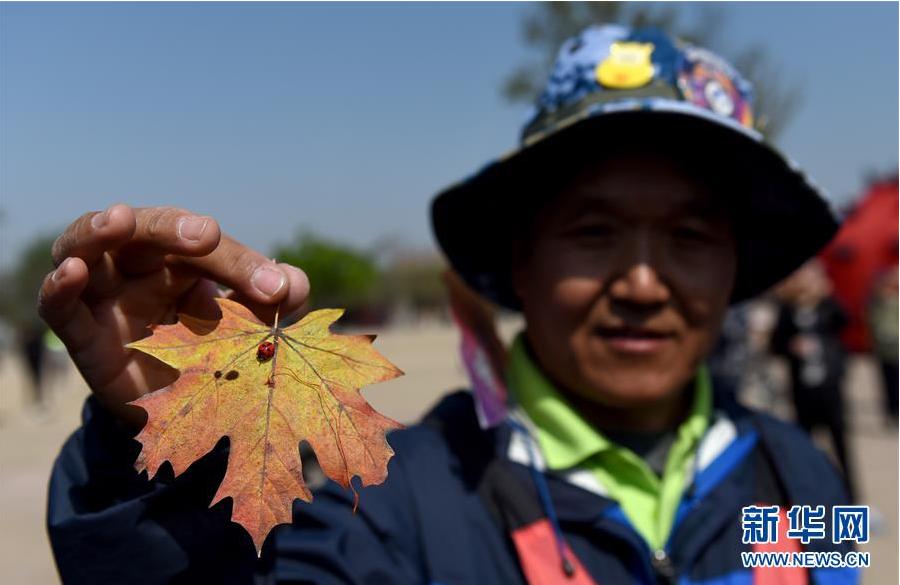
(19, 286)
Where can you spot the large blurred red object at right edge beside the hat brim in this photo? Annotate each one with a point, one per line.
(865, 246)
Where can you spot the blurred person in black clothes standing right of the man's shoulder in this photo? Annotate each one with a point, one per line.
(808, 333)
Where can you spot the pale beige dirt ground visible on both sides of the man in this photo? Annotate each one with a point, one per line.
(30, 439)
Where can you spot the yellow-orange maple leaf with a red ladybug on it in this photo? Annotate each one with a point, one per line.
(266, 389)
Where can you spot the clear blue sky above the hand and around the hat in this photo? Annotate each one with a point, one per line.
(346, 119)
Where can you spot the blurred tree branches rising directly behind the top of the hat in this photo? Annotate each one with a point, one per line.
(548, 24)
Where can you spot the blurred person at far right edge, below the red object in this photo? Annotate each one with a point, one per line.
(882, 316)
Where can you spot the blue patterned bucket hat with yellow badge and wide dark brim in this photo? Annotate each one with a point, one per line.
(613, 86)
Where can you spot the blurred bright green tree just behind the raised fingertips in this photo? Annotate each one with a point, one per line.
(339, 275)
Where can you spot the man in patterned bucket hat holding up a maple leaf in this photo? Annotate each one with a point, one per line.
(640, 205)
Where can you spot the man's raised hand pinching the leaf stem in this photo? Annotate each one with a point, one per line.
(121, 270)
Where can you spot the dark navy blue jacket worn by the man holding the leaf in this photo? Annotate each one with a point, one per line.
(429, 523)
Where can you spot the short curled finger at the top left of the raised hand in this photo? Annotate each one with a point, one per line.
(92, 234)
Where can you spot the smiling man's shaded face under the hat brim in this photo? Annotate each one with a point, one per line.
(626, 281)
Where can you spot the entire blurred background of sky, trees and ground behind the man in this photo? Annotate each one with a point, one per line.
(318, 133)
